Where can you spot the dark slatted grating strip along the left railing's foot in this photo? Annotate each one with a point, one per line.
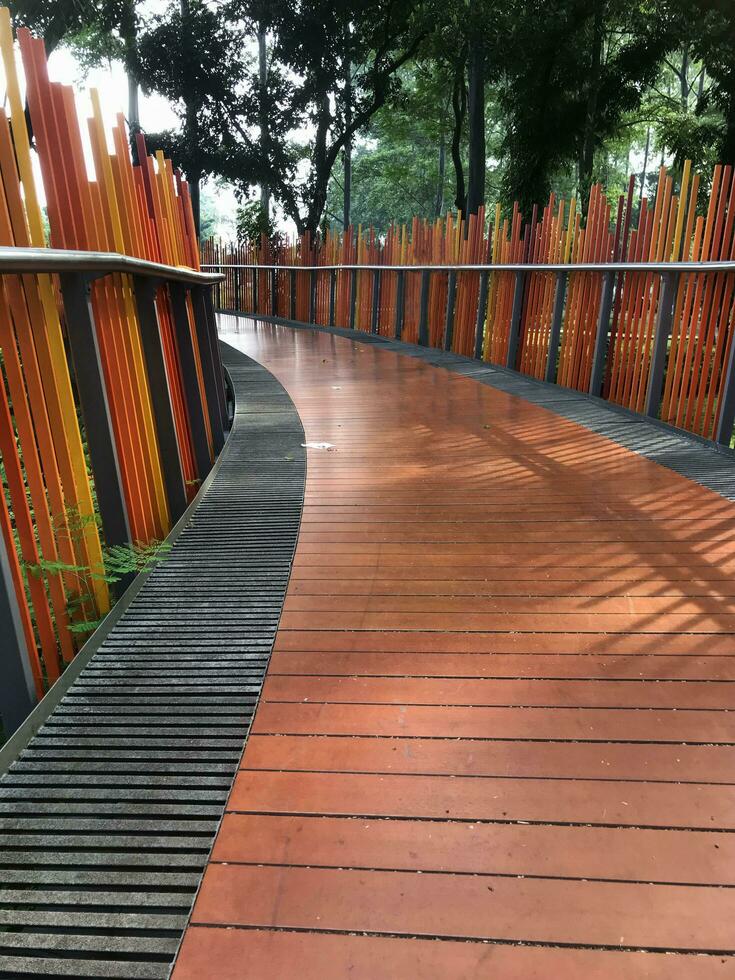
(108, 816)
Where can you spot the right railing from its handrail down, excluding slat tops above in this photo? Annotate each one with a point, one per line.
(653, 337)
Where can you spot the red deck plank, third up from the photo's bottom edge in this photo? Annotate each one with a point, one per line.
(687, 857)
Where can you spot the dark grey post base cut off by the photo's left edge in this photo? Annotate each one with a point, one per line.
(17, 690)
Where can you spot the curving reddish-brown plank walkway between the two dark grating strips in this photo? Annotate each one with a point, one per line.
(497, 714)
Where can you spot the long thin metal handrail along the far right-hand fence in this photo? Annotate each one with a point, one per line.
(652, 267)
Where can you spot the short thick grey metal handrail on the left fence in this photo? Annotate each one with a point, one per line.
(40, 260)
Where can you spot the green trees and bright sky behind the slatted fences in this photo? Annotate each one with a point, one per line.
(377, 110)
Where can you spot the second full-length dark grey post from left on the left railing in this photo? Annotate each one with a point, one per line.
(150, 337)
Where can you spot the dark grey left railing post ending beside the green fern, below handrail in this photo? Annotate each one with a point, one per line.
(90, 379)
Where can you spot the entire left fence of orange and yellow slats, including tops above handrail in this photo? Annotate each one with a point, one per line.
(112, 404)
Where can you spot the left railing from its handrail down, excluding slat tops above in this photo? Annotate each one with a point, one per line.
(105, 433)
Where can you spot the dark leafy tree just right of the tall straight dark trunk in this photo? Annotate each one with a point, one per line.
(572, 71)
